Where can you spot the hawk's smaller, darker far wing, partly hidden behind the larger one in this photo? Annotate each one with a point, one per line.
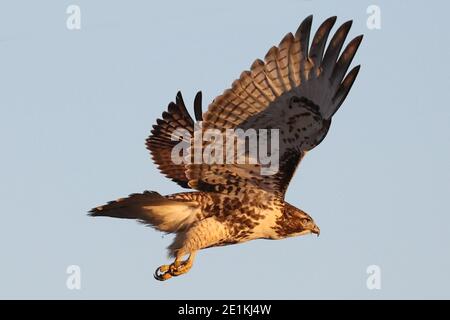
(160, 143)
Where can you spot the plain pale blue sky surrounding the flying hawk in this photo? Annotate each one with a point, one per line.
(76, 107)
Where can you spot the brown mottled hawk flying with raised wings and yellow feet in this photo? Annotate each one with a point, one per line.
(296, 89)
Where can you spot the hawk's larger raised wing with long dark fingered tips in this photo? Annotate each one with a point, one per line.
(296, 89)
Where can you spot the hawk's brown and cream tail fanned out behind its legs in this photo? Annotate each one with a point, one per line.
(151, 208)
